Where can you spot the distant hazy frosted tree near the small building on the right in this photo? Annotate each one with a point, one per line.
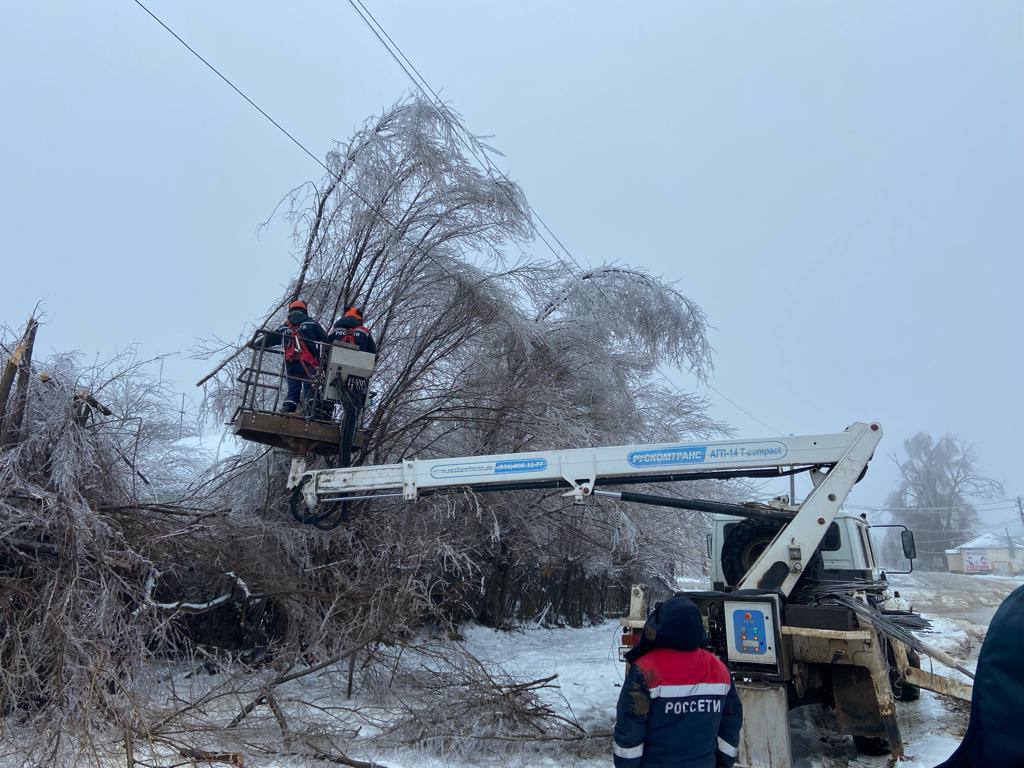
(938, 483)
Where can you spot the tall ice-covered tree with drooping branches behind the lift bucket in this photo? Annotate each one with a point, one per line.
(487, 348)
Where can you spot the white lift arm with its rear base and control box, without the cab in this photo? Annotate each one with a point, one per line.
(792, 663)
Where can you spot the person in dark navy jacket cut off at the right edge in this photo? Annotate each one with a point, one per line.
(995, 737)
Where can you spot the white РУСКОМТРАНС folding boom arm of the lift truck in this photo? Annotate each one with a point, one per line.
(846, 454)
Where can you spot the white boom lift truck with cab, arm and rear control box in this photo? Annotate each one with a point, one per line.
(797, 610)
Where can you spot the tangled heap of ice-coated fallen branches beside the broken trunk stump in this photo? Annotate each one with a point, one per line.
(141, 617)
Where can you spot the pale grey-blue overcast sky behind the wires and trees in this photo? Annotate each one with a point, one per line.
(838, 185)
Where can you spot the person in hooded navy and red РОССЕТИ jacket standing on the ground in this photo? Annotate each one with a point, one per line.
(678, 707)
